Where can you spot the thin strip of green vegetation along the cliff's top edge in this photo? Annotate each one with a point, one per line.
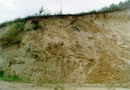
(121, 5)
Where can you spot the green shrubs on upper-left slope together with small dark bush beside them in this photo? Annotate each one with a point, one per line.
(12, 35)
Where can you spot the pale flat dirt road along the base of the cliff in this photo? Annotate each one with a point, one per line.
(26, 86)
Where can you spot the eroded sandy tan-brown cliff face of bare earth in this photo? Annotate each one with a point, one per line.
(73, 49)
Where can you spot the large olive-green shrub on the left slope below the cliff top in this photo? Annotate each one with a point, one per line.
(11, 36)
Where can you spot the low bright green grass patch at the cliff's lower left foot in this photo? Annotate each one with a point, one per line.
(11, 78)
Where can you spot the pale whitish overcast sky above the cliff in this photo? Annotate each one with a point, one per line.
(11, 9)
